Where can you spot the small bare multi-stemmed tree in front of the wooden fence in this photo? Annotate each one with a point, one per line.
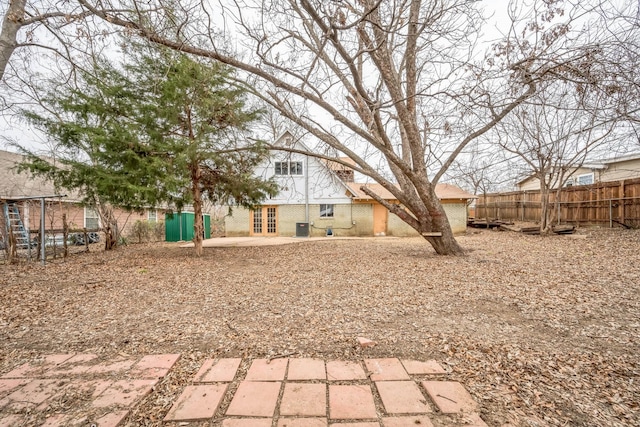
(554, 133)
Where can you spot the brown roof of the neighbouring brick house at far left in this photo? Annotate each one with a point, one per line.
(14, 185)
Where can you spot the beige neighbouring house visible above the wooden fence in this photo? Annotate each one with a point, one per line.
(605, 170)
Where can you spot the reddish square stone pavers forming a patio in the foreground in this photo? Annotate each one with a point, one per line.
(271, 393)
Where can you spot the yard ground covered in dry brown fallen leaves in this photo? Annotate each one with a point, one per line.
(540, 330)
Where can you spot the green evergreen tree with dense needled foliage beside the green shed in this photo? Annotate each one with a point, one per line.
(161, 129)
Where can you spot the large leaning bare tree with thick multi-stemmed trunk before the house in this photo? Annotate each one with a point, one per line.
(399, 87)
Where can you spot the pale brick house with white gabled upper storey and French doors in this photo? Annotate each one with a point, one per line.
(322, 197)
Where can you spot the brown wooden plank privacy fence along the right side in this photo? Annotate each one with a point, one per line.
(605, 203)
